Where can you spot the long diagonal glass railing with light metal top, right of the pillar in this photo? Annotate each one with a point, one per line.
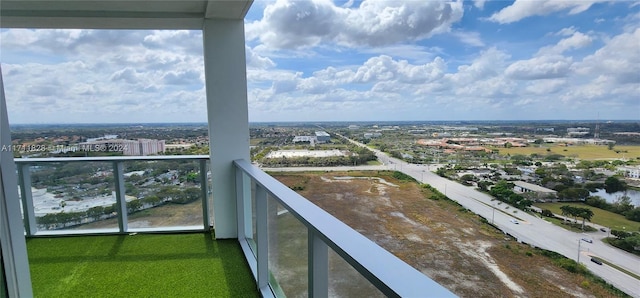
(296, 249)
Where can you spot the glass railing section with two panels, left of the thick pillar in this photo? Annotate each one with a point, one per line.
(114, 194)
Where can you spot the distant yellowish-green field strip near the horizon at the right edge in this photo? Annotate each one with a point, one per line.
(587, 152)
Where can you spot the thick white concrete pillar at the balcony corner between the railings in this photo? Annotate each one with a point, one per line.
(227, 110)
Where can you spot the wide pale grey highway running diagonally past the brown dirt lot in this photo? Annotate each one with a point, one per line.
(530, 229)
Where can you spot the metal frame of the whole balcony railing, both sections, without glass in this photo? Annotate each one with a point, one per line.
(389, 274)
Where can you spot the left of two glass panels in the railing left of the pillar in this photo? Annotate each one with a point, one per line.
(73, 195)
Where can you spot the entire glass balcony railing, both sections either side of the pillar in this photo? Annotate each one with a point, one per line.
(293, 247)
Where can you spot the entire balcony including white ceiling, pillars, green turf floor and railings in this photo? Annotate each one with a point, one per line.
(291, 246)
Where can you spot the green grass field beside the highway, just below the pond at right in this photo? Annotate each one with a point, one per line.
(601, 217)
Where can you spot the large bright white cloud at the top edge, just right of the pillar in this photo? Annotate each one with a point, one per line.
(299, 24)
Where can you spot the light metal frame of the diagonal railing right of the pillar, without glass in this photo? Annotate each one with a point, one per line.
(392, 276)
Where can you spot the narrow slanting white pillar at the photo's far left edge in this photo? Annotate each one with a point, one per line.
(12, 242)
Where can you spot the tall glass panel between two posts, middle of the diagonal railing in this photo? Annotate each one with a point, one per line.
(288, 252)
